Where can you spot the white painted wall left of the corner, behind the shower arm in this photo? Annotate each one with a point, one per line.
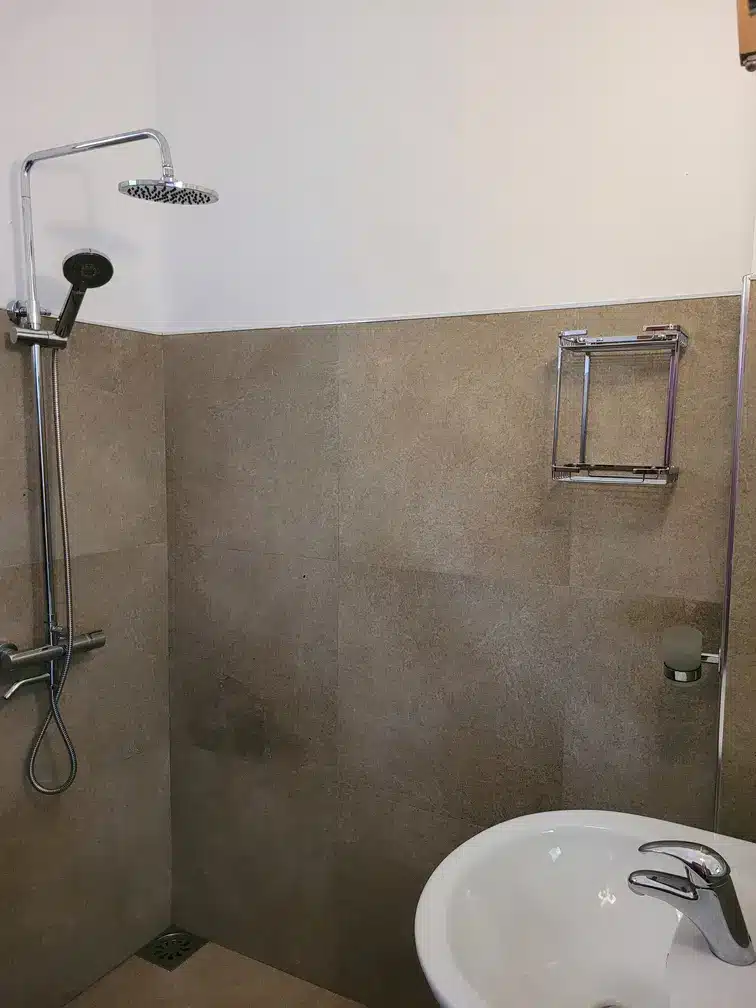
(73, 72)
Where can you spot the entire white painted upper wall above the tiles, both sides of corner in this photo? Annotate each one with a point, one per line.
(390, 159)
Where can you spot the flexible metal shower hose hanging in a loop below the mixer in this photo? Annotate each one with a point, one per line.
(59, 671)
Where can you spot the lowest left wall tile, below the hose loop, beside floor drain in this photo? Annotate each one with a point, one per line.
(96, 863)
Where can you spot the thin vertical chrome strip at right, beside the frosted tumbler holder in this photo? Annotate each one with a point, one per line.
(745, 309)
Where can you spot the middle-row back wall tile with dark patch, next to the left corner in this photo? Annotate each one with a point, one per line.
(255, 656)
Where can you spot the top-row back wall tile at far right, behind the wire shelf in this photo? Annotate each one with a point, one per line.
(669, 542)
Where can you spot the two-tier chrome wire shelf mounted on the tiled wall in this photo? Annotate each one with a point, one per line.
(670, 340)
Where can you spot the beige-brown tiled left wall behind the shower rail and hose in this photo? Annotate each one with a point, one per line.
(86, 876)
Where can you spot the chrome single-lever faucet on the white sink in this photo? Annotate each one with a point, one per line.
(705, 895)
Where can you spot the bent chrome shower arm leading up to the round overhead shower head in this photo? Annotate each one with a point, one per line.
(34, 316)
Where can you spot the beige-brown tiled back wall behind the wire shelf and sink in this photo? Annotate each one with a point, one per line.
(391, 629)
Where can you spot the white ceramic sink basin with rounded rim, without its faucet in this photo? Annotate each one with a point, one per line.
(537, 914)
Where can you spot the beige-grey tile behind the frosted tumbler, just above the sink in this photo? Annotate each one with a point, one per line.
(634, 741)
